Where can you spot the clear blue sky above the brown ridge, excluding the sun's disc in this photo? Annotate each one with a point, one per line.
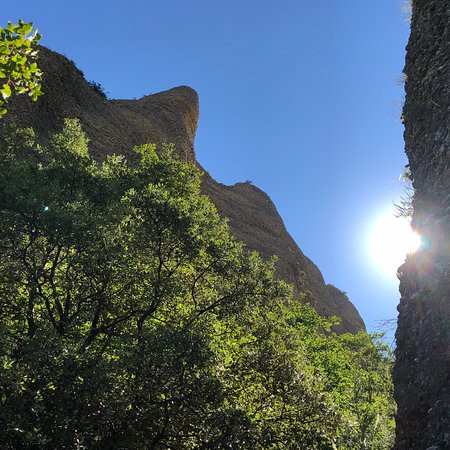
(298, 96)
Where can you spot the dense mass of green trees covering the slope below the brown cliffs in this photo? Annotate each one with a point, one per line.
(130, 318)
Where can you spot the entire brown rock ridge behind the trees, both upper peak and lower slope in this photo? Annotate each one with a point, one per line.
(115, 126)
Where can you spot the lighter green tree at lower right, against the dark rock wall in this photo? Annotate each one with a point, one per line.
(357, 373)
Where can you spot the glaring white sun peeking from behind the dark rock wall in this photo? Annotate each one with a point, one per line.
(391, 239)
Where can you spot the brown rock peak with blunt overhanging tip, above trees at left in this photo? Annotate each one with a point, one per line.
(112, 125)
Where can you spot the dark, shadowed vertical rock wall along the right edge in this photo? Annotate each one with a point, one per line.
(422, 369)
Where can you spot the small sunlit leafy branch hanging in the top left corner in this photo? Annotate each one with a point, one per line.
(18, 70)
